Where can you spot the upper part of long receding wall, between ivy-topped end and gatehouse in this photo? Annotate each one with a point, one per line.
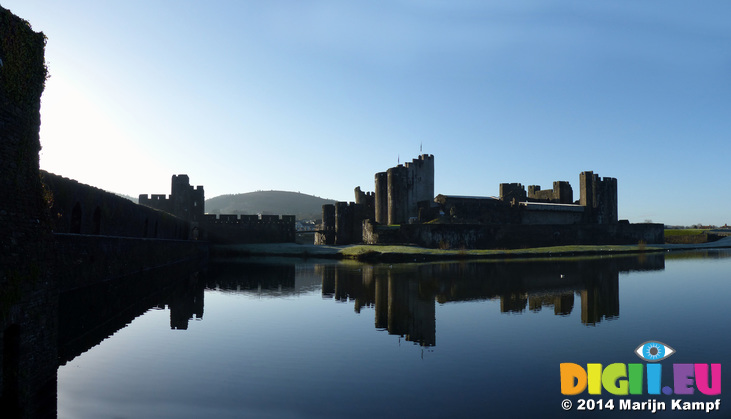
(82, 209)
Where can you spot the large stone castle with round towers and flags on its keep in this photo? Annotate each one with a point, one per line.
(403, 209)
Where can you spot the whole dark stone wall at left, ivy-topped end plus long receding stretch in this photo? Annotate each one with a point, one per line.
(54, 235)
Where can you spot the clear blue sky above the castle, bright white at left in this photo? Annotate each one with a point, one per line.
(318, 96)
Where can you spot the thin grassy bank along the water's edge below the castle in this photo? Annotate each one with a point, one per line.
(408, 253)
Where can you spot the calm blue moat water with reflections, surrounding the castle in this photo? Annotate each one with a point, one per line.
(308, 339)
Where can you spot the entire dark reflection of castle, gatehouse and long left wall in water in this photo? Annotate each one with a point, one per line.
(404, 297)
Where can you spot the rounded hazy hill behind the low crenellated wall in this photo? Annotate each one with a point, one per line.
(303, 206)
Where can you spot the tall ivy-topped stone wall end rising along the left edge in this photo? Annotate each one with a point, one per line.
(28, 295)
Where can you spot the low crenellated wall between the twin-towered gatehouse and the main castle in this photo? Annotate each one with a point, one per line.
(240, 229)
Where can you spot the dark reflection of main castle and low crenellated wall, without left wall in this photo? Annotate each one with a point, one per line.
(404, 296)
